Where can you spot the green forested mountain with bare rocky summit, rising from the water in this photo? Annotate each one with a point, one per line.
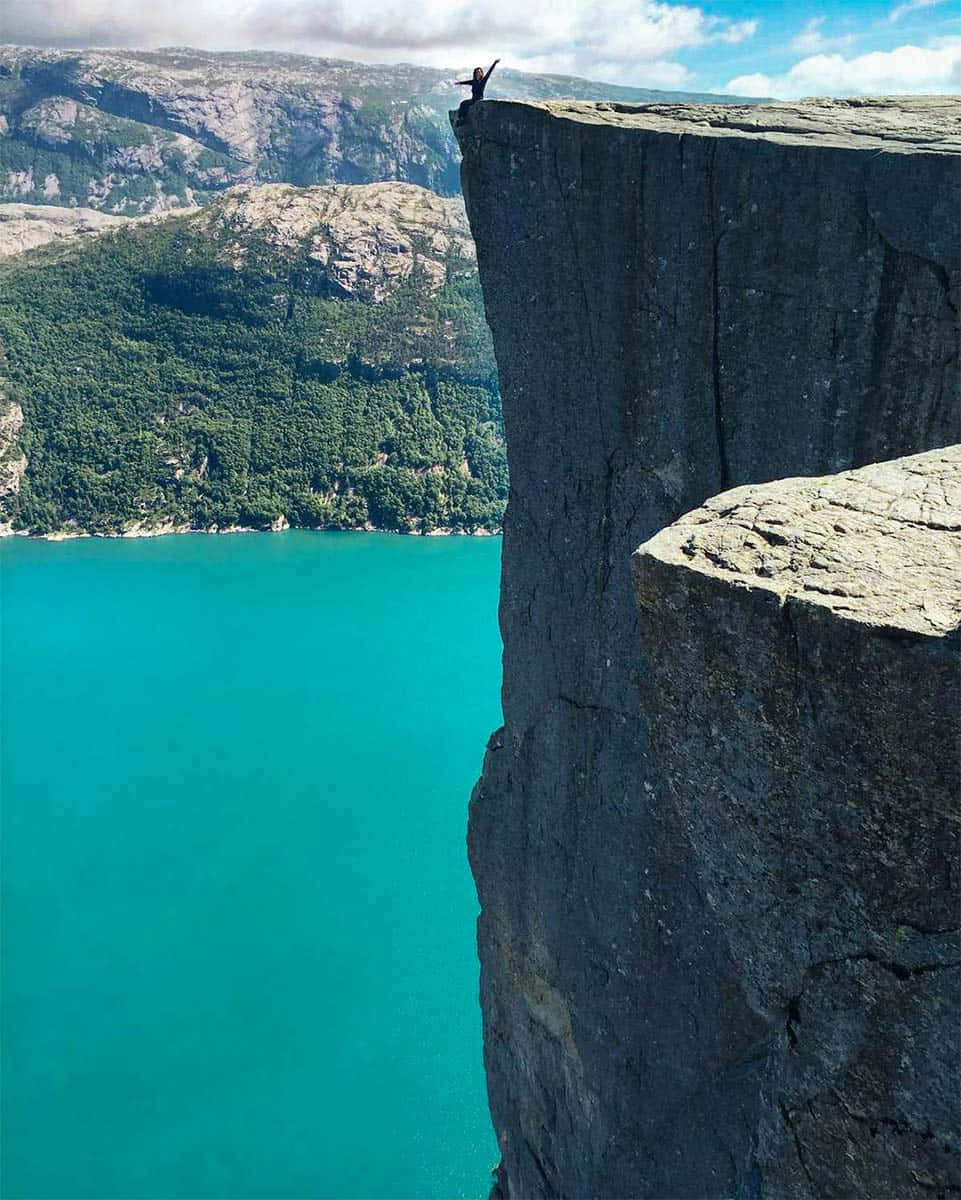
(309, 356)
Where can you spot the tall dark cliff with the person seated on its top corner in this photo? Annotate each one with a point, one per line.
(682, 301)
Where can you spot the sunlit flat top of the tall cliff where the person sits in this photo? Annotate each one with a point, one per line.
(929, 124)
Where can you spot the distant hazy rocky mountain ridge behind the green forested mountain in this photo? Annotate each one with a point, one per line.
(130, 131)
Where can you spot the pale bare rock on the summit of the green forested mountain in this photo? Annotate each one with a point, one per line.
(373, 236)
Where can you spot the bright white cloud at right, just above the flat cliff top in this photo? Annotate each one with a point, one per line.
(905, 70)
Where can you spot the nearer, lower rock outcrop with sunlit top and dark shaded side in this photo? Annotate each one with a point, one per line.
(804, 691)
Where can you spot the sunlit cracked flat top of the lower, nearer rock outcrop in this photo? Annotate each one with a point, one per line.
(880, 545)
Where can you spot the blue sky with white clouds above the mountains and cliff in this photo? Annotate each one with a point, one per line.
(756, 47)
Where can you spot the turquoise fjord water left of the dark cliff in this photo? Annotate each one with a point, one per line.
(238, 919)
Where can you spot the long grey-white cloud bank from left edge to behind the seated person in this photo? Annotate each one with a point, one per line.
(630, 41)
